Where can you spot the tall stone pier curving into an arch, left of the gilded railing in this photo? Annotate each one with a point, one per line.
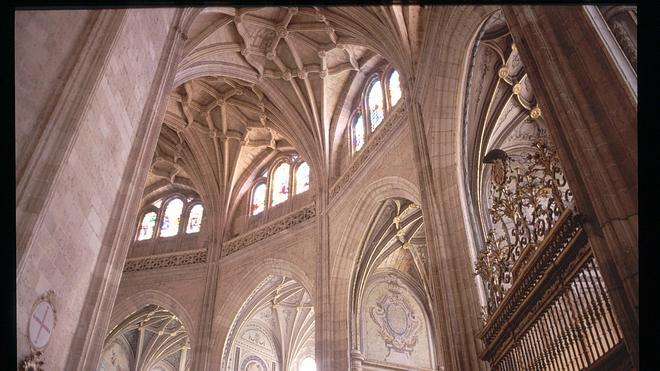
(444, 66)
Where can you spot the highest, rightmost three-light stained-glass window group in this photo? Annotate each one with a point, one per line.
(379, 96)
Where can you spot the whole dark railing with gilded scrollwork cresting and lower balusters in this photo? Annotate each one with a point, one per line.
(547, 307)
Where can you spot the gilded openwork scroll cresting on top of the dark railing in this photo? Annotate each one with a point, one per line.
(527, 195)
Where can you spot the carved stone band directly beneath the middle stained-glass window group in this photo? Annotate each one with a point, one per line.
(268, 230)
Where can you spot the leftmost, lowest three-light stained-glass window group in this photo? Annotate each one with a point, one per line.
(169, 214)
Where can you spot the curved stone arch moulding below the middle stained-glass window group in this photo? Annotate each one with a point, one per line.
(225, 315)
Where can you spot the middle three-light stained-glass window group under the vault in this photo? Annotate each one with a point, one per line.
(286, 176)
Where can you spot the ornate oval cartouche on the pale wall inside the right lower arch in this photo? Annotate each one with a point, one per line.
(397, 322)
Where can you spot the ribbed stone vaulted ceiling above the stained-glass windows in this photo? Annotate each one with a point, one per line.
(254, 83)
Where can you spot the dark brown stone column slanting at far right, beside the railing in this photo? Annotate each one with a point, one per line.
(591, 113)
